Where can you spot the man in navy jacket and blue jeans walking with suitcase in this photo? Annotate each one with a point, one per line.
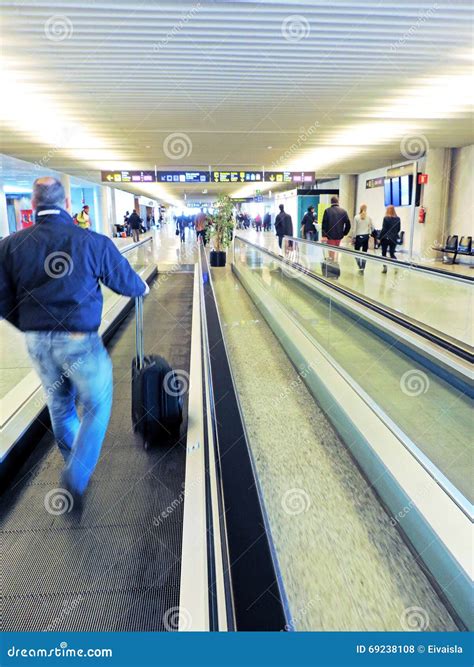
(50, 277)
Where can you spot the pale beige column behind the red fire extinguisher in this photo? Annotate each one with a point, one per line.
(435, 198)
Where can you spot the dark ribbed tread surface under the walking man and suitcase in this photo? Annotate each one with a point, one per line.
(117, 566)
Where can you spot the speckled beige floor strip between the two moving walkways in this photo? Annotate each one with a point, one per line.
(344, 565)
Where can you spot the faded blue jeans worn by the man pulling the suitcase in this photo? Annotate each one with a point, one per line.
(75, 367)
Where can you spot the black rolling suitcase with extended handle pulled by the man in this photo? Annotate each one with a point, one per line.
(157, 404)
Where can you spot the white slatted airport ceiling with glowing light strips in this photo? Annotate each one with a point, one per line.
(331, 87)
